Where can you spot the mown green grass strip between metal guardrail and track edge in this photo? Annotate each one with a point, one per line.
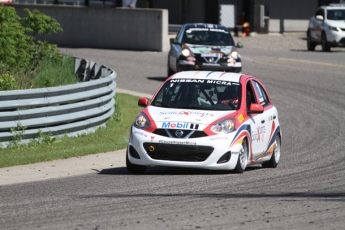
(111, 138)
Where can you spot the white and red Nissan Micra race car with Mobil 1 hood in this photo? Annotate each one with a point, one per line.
(207, 120)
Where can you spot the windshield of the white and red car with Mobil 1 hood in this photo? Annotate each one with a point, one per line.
(199, 94)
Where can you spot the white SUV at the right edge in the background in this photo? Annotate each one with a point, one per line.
(327, 27)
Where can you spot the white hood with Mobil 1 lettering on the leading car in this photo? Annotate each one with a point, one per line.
(182, 118)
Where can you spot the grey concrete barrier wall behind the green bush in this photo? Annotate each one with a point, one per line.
(108, 28)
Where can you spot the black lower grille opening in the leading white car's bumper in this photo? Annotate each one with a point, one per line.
(169, 152)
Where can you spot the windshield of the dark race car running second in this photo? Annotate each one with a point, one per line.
(208, 36)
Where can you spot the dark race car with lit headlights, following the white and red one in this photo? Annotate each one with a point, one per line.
(200, 46)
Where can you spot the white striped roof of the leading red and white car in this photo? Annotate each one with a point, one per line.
(208, 75)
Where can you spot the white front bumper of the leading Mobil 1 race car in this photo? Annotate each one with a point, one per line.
(211, 152)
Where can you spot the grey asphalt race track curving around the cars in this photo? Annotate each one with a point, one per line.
(306, 190)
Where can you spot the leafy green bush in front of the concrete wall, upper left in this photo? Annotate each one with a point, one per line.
(21, 51)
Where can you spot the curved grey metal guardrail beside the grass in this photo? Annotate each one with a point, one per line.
(65, 110)
